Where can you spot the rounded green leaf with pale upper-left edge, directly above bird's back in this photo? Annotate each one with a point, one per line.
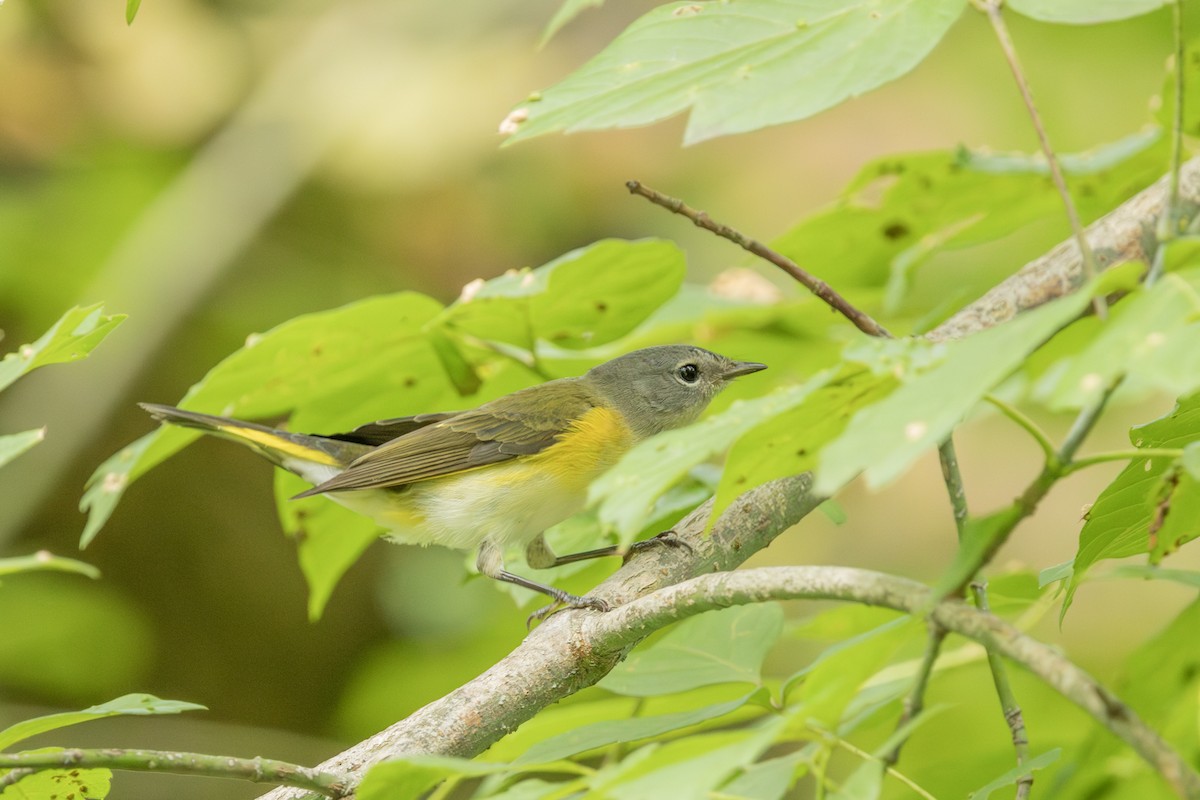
(587, 298)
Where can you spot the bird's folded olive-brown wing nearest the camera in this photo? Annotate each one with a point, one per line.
(521, 424)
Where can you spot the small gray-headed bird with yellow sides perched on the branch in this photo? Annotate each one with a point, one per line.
(503, 473)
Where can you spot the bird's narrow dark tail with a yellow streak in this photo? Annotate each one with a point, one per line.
(314, 459)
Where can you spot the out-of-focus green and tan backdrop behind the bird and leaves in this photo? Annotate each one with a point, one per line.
(220, 167)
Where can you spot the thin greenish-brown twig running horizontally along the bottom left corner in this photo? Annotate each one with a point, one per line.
(260, 771)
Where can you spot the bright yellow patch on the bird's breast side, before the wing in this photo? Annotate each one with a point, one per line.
(589, 448)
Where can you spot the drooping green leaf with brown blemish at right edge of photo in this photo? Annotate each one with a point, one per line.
(1119, 524)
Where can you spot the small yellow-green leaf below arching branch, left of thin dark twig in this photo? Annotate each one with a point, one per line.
(836, 677)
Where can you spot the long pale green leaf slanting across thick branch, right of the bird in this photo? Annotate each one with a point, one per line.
(884, 440)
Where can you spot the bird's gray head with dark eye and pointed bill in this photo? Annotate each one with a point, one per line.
(662, 388)
